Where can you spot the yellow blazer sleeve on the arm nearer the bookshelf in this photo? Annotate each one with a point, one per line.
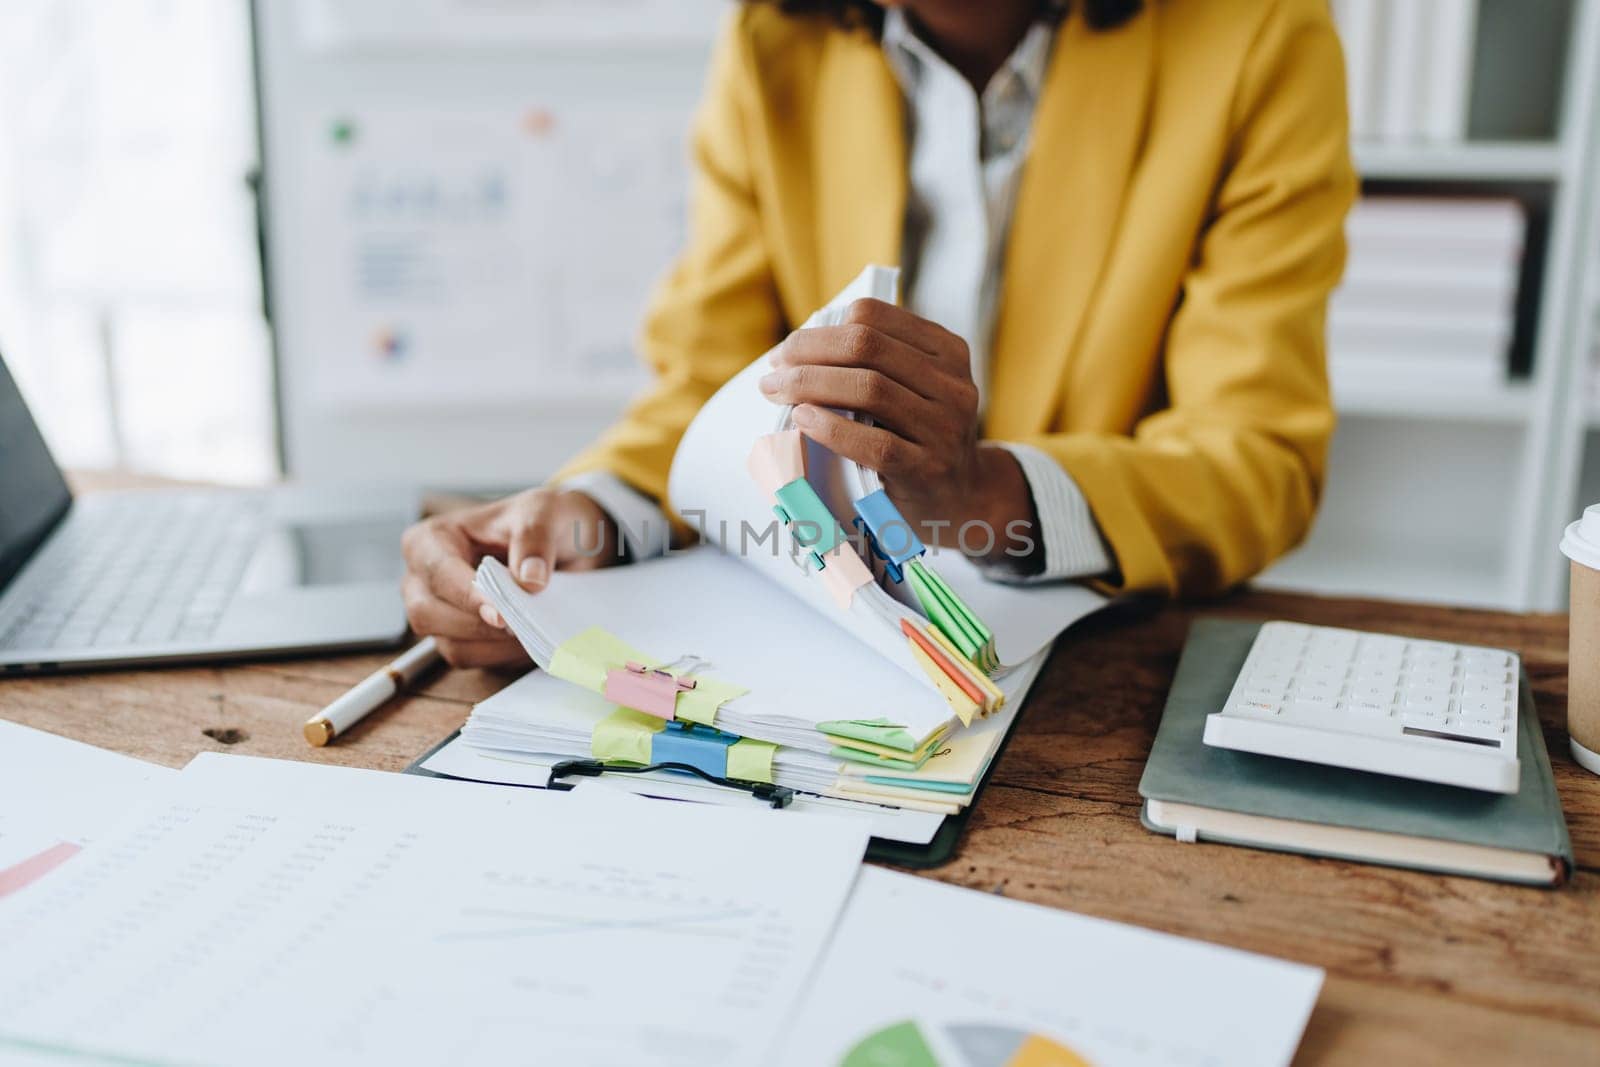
(1226, 479)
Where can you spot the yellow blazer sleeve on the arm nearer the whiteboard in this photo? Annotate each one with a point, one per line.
(718, 308)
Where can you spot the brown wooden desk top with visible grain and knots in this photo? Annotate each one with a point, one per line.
(1422, 969)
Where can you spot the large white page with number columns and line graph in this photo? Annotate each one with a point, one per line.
(266, 913)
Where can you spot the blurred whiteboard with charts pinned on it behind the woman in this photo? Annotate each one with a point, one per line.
(466, 207)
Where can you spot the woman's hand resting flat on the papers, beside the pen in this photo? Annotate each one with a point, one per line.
(534, 533)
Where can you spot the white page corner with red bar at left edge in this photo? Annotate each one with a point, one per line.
(57, 796)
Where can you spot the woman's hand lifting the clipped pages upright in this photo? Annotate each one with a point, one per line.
(916, 380)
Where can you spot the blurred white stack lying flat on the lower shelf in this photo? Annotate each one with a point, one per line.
(1430, 294)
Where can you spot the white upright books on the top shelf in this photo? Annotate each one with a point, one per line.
(1410, 68)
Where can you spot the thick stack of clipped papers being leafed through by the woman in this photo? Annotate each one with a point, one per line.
(746, 660)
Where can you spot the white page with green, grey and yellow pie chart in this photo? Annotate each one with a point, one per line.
(926, 975)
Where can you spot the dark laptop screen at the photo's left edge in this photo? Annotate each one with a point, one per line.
(33, 492)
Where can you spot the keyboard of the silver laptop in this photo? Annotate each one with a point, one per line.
(138, 570)
